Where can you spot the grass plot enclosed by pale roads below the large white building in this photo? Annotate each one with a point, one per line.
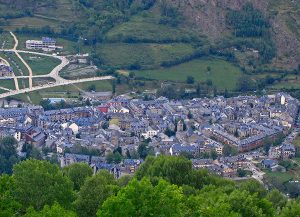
(41, 65)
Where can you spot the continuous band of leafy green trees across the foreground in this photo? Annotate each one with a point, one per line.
(163, 186)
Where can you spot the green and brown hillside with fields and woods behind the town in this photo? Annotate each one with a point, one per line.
(258, 39)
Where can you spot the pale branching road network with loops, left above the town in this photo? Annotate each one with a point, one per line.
(59, 81)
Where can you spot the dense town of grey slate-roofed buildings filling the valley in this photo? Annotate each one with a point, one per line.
(224, 135)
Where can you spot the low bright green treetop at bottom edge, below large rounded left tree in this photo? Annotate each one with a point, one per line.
(53, 211)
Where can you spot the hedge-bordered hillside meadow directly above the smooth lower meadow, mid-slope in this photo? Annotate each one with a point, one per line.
(146, 55)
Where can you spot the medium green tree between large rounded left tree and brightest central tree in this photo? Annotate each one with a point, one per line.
(94, 192)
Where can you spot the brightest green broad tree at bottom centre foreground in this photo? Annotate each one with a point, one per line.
(141, 198)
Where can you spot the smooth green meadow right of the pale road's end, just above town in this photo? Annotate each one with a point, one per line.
(223, 74)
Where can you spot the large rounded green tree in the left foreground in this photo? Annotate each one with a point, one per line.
(40, 183)
